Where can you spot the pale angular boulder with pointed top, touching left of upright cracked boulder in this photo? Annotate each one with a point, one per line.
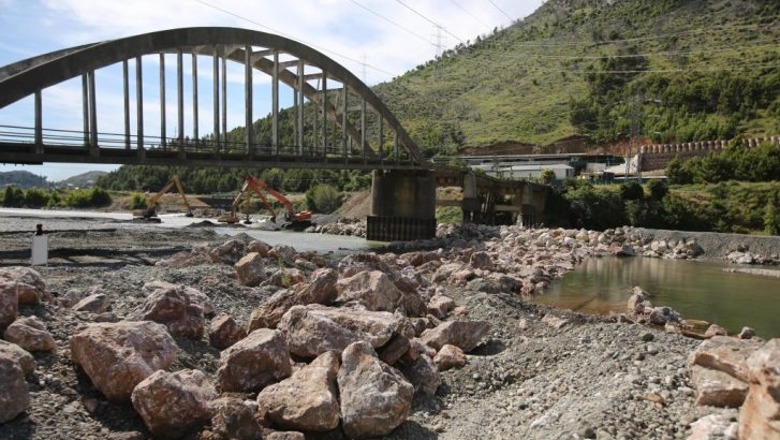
(306, 401)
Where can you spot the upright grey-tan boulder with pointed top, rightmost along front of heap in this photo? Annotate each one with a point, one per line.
(375, 397)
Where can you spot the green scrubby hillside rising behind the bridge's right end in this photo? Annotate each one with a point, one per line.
(668, 69)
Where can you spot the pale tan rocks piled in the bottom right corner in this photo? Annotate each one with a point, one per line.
(738, 373)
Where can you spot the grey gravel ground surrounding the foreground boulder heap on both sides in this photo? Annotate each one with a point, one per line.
(590, 378)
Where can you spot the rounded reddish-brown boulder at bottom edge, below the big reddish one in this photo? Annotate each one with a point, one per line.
(172, 403)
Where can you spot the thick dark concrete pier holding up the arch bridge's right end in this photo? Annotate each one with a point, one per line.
(403, 206)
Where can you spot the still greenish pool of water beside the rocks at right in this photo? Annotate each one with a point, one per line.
(698, 290)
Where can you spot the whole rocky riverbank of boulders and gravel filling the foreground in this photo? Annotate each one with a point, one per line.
(430, 340)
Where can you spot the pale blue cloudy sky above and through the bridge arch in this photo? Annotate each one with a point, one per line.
(376, 40)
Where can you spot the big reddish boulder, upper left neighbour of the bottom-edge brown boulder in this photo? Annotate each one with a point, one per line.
(118, 356)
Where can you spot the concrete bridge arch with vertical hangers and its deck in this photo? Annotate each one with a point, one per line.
(285, 61)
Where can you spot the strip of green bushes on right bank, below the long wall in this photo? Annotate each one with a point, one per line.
(739, 207)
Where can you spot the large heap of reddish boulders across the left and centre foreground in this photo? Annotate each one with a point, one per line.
(338, 346)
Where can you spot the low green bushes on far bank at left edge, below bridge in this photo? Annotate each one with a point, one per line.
(39, 198)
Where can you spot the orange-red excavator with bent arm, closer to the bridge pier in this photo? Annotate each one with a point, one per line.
(293, 220)
